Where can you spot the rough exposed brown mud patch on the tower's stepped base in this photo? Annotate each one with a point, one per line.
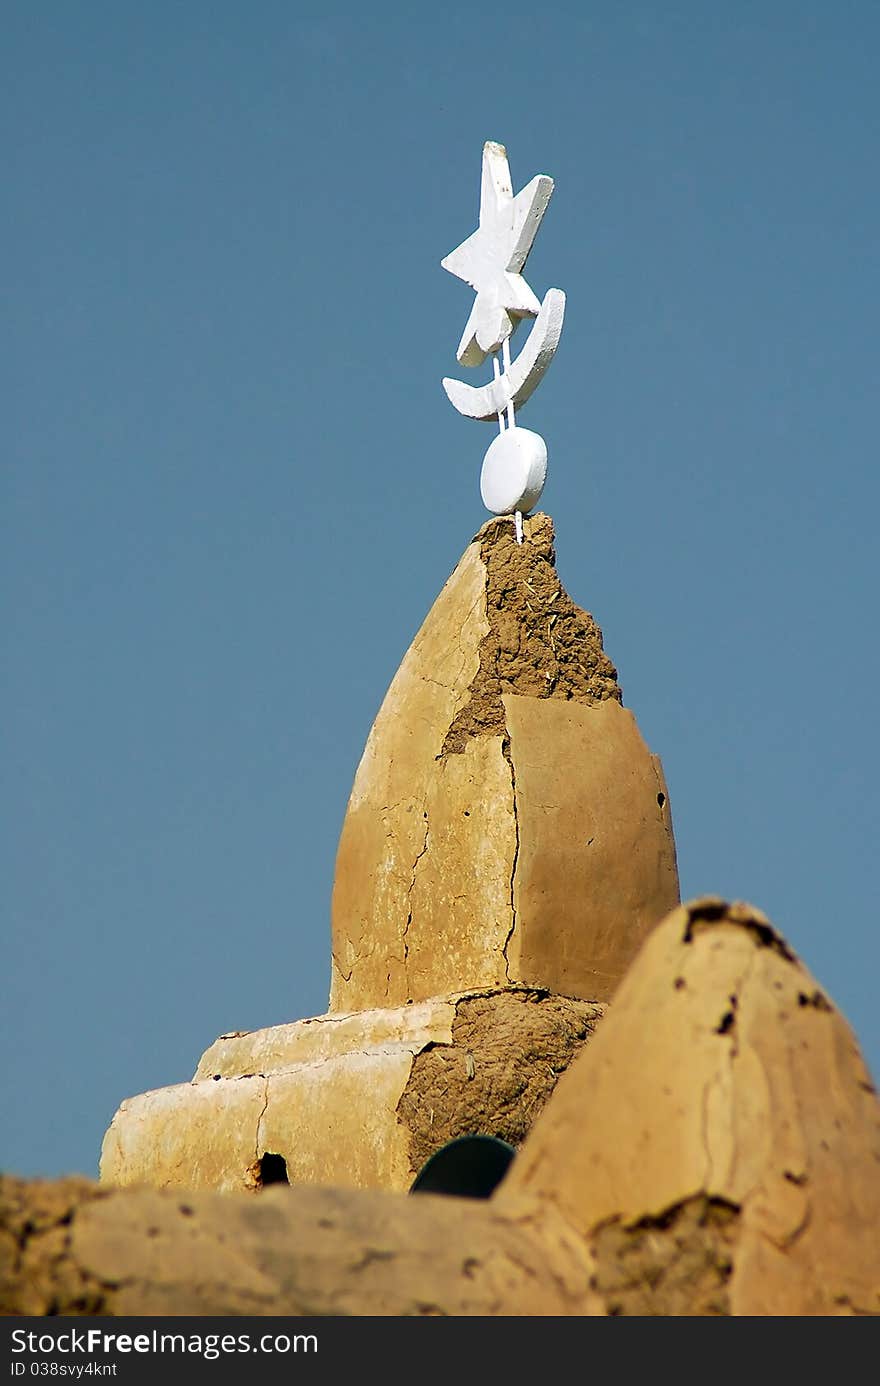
(507, 1054)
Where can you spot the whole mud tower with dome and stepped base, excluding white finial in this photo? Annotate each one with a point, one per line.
(507, 849)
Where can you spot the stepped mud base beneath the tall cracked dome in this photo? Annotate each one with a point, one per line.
(351, 1101)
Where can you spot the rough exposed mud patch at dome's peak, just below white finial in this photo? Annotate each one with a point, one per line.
(540, 644)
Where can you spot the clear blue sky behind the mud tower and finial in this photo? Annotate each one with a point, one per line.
(234, 486)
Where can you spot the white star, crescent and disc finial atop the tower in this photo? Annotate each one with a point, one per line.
(491, 261)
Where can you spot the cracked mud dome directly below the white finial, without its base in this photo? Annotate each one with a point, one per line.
(508, 823)
